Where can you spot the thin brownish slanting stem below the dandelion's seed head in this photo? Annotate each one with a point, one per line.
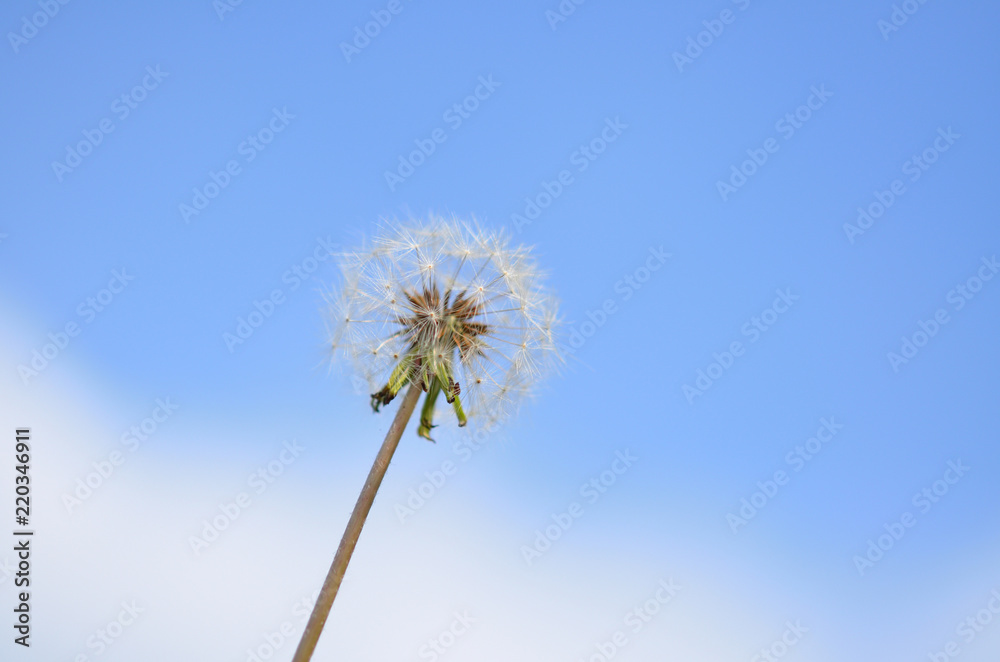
(333, 578)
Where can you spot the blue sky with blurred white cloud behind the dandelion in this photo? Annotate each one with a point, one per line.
(643, 143)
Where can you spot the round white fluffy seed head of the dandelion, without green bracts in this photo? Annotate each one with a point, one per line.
(457, 292)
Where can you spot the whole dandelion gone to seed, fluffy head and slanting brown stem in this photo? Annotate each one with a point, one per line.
(447, 309)
